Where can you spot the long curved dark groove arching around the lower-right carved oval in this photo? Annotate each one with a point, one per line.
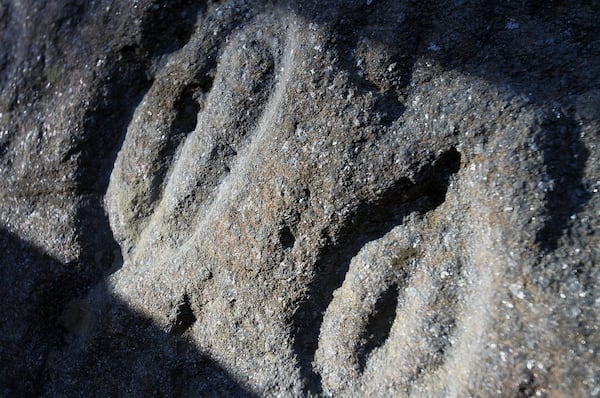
(371, 221)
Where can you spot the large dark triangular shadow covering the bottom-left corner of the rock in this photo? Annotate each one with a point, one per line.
(94, 347)
